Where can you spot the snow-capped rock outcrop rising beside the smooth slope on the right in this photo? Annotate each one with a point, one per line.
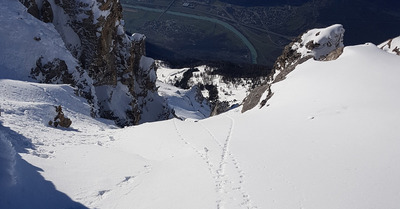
(321, 44)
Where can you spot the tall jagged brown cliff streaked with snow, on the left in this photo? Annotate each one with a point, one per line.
(93, 32)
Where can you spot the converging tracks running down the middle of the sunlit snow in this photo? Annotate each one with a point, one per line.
(228, 186)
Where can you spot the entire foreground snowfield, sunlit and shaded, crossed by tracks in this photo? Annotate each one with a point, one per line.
(329, 138)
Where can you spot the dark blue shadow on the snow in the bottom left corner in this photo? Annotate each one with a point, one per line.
(21, 185)
